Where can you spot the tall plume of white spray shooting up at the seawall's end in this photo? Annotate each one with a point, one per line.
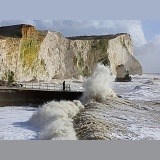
(97, 87)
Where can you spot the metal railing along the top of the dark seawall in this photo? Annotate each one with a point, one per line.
(42, 86)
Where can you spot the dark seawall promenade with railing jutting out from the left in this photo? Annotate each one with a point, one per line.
(35, 94)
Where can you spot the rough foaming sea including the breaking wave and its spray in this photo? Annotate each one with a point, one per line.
(108, 110)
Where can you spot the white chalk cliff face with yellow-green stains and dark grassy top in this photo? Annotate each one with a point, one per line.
(47, 55)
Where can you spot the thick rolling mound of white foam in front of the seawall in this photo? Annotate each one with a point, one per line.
(55, 119)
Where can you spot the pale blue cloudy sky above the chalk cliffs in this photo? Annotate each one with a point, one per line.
(144, 33)
